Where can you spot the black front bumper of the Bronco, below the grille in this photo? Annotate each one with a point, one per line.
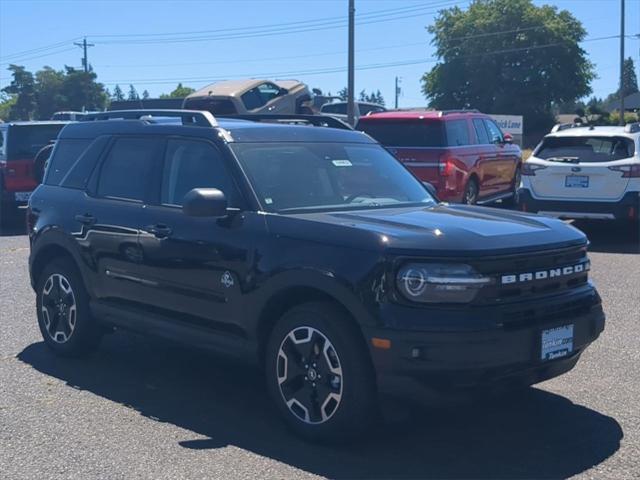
(491, 345)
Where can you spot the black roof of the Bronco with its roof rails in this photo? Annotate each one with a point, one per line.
(235, 130)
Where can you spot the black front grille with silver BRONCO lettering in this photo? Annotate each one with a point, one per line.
(547, 263)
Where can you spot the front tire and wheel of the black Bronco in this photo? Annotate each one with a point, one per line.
(329, 394)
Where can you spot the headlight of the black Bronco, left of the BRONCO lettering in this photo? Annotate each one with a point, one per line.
(440, 282)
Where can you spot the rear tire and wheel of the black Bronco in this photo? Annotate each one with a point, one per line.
(62, 297)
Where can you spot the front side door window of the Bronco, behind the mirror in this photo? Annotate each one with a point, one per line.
(188, 165)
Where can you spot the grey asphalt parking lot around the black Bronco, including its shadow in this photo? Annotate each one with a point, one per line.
(142, 408)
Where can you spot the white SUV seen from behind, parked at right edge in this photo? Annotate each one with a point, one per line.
(584, 172)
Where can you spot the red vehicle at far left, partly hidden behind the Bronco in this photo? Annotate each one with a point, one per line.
(19, 143)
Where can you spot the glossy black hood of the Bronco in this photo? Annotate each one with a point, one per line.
(445, 230)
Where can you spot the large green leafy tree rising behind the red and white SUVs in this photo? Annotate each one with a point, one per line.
(508, 56)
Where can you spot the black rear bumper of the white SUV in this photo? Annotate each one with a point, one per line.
(627, 208)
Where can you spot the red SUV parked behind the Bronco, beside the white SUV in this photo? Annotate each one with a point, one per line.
(462, 153)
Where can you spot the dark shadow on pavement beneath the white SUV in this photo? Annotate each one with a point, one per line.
(611, 237)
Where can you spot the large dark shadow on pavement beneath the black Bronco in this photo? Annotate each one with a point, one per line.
(541, 435)
